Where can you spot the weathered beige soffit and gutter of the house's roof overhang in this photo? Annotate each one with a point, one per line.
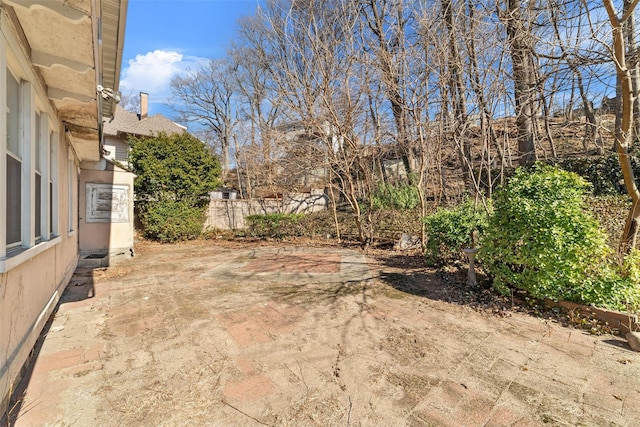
(61, 40)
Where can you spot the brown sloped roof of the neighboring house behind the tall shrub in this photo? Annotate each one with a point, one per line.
(126, 122)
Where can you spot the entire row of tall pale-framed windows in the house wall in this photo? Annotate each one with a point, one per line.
(29, 154)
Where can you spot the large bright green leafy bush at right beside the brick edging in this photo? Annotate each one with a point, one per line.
(541, 239)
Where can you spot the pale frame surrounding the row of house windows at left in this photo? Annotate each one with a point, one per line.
(39, 151)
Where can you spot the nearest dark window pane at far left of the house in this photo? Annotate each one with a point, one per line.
(14, 164)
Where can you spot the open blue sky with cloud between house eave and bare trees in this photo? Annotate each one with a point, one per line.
(165, 37)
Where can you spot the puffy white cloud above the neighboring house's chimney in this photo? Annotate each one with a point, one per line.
(152, 72)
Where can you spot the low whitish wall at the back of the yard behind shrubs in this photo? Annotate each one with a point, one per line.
(230, 214)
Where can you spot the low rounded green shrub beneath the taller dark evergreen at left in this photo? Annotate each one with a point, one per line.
(170, 221)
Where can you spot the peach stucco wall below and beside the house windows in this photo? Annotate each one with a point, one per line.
(29, 291)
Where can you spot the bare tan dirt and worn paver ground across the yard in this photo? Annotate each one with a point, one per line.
(239, 334)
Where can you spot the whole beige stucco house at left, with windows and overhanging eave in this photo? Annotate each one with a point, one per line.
(56, 79)
